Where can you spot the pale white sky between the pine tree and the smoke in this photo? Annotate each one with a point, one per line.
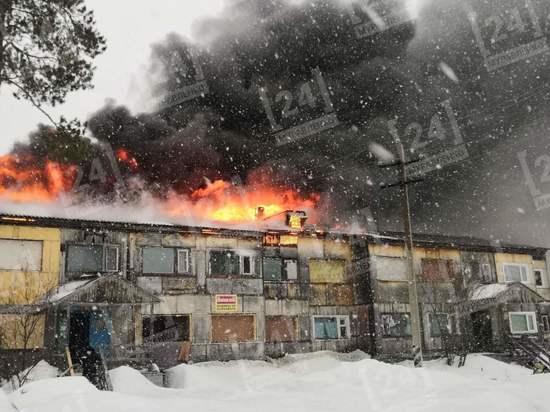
(130, 27)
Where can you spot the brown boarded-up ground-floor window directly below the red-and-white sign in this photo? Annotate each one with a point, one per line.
(232, 328)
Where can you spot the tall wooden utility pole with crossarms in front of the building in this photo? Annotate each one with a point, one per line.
(403, 185)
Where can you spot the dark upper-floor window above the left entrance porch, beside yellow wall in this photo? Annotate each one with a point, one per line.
(92, 258)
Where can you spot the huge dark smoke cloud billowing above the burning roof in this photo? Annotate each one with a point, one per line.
(395, 74)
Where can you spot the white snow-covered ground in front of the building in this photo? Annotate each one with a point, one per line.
(315, 382)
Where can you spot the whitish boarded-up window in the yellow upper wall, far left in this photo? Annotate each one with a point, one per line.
(20, 255)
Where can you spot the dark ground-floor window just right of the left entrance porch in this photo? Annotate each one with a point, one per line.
(165, 328)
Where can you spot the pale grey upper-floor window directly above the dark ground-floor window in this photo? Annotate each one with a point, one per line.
(166, 260)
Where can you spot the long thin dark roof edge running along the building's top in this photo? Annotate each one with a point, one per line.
(420, 239)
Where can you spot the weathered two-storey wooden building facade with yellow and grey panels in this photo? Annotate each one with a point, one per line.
(171, 293)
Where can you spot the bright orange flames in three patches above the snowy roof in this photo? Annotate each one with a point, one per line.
(24, 179)
